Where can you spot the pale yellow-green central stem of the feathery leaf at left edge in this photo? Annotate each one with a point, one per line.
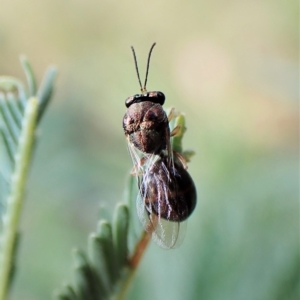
(15, 199)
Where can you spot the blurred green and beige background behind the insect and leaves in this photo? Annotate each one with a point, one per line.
(232, 67)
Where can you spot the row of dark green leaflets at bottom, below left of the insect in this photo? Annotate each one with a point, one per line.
(97, 273)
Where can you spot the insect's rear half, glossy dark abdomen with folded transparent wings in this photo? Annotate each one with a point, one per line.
(166, 197)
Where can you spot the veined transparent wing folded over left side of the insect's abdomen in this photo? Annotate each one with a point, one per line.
(159, 206)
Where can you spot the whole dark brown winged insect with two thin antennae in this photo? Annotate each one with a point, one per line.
(167, 193)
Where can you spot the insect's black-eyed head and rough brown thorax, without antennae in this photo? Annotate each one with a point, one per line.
(146, 124)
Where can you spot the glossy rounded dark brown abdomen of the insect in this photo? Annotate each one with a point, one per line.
(168, 192)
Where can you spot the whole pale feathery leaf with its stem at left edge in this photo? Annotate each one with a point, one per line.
(20, 111)
